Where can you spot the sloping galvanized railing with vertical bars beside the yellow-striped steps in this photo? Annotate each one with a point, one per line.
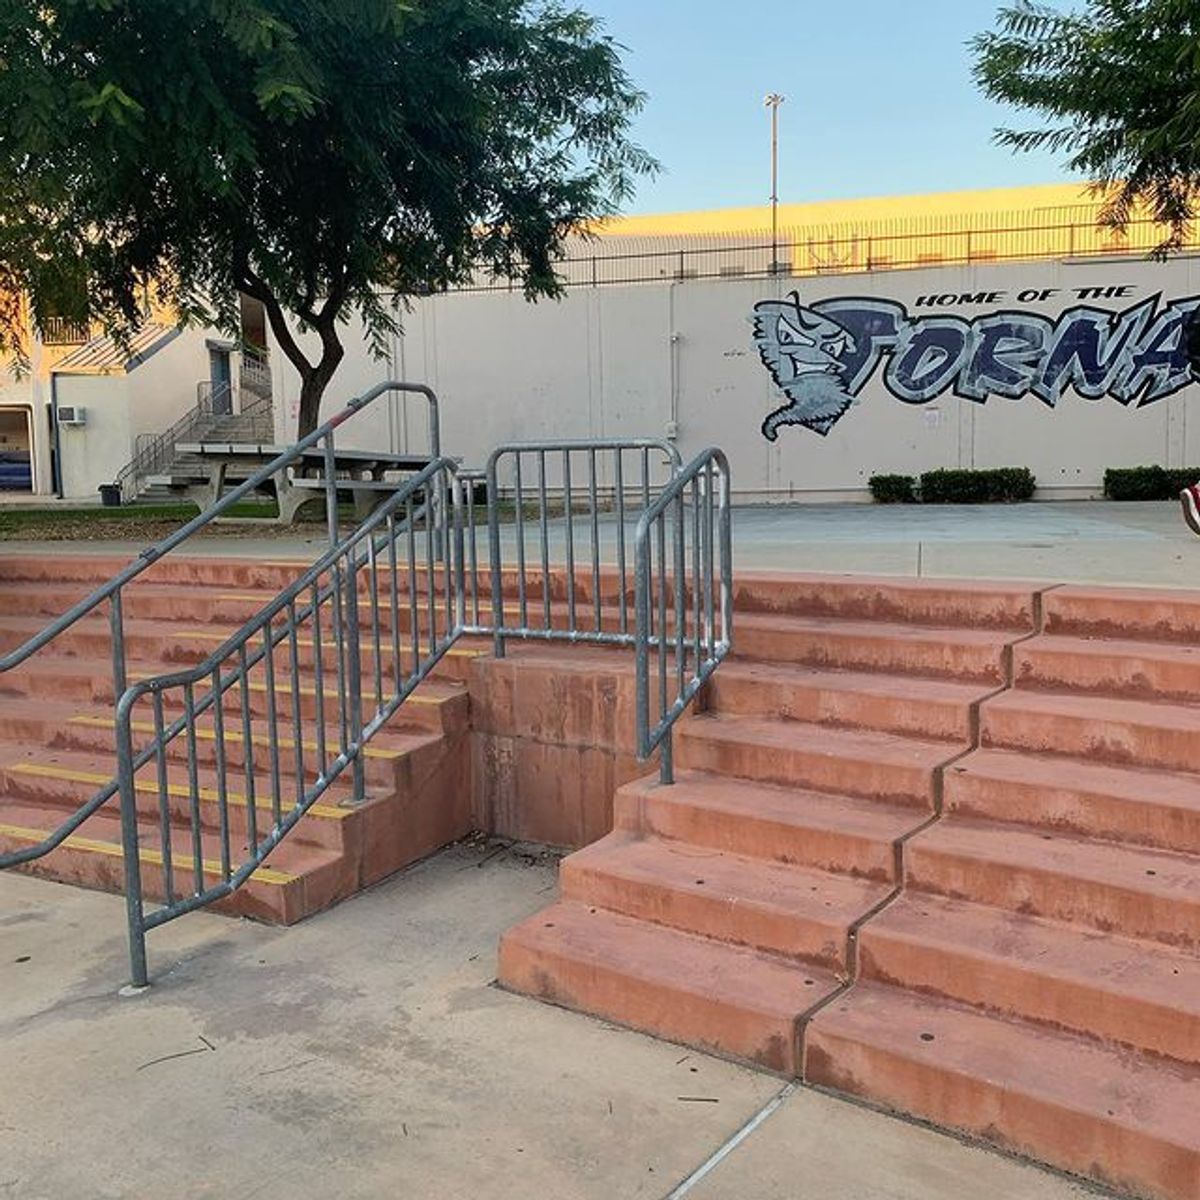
(233, 759)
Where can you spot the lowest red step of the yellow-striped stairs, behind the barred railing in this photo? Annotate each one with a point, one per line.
(297, 881)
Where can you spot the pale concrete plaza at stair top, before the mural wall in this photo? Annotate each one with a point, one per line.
(1087, 542)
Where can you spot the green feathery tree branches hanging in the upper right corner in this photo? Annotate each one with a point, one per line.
(1119, 82)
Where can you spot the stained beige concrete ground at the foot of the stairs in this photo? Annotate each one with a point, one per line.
(367, 1054)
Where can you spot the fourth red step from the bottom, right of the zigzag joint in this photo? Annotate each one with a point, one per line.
(1130, 805)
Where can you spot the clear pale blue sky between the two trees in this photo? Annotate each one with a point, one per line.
(880, 100)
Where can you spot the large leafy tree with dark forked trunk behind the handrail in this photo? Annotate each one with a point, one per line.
(326, 158)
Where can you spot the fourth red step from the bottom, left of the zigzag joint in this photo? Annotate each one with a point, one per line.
(857, 763)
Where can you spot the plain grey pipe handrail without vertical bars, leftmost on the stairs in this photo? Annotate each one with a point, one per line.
(111, 593)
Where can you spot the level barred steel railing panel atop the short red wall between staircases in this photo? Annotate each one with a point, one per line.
(572, 501)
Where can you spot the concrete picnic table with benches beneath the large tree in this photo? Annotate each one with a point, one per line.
(358, 475)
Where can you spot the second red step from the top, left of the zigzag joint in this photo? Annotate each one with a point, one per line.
(950, 652)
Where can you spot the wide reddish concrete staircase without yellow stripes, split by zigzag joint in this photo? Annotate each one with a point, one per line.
(937, 847)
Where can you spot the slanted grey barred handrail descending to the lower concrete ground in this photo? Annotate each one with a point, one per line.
(343, 562)
